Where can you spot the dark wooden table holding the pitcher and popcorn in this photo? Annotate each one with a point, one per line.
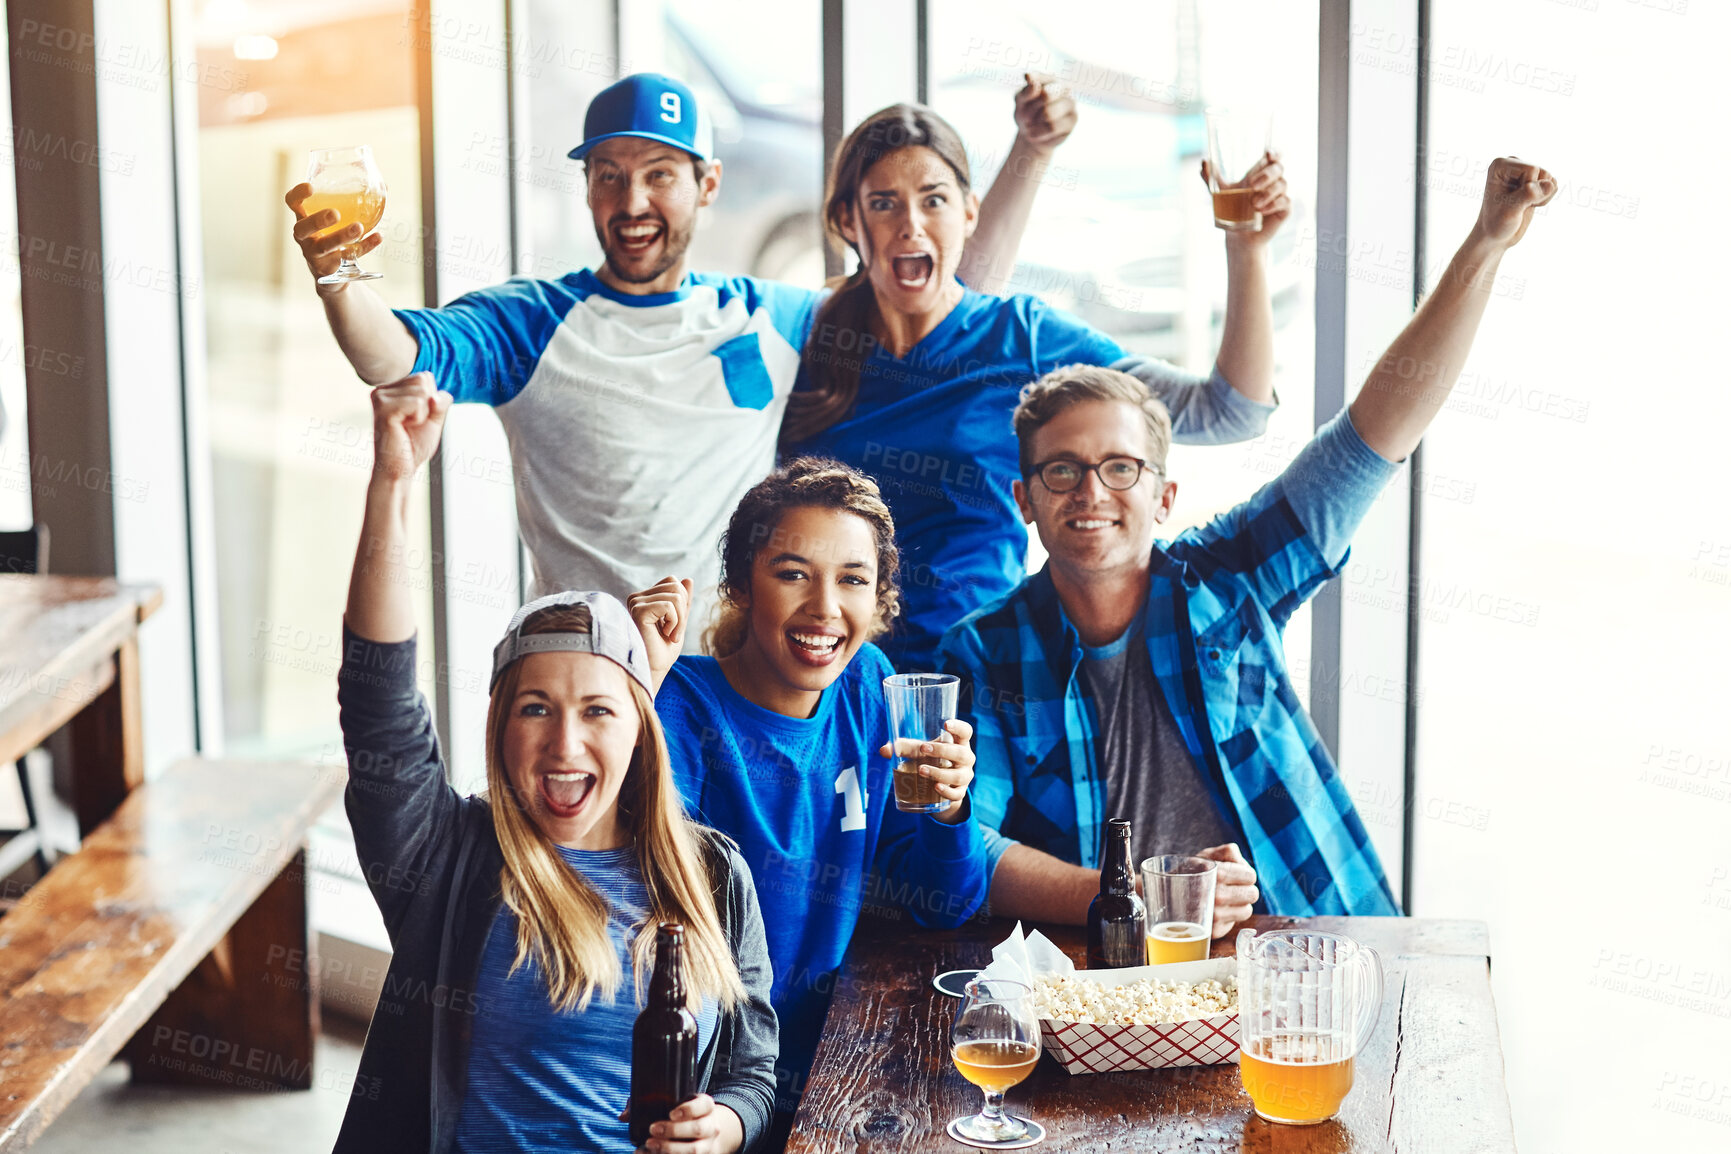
(1429, 1080)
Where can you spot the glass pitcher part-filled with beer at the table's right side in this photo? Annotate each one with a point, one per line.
(1308, 1004)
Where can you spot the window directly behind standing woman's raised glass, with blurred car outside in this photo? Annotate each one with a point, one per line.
(1123, 231)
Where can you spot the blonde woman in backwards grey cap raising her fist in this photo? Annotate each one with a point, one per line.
(524, 921)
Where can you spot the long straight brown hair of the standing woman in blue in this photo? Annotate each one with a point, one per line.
(842, 333)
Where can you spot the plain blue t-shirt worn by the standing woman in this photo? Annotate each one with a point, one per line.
(934, 430)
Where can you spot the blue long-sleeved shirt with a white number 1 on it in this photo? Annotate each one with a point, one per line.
(811, 805)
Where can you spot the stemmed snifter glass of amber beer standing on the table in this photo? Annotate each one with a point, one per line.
(996, 1044)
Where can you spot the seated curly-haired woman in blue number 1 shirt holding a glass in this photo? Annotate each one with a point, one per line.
(780, 740)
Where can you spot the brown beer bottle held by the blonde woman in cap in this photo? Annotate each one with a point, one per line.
(664, 1041)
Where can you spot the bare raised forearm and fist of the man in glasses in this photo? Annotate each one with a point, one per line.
(1415, 376)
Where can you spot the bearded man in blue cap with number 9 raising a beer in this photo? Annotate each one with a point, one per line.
(641, 401)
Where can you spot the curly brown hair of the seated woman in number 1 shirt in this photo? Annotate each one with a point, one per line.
(802, 484)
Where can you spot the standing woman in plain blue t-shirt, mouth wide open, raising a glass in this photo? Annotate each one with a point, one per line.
(911, 376)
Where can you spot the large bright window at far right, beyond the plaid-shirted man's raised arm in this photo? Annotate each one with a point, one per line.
(1576, 596)
